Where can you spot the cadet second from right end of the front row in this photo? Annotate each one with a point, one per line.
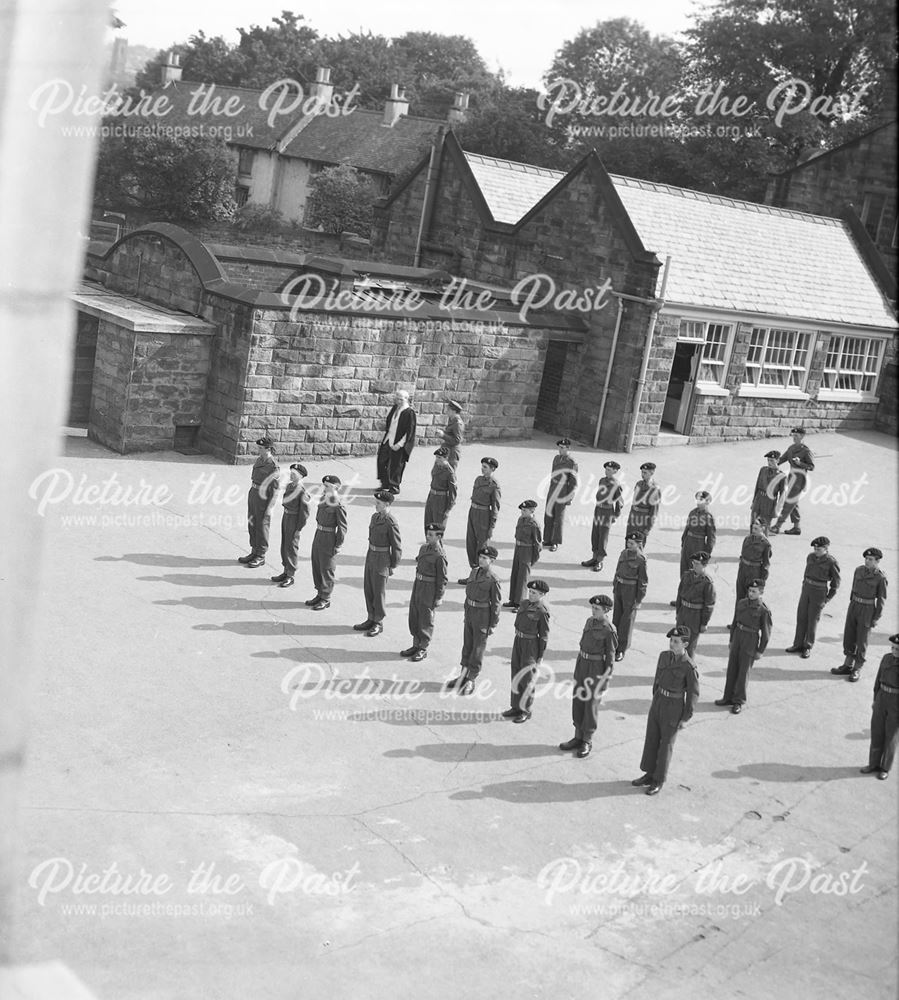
(592, 673)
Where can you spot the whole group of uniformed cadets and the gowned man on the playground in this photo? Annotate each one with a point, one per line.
(607, 632)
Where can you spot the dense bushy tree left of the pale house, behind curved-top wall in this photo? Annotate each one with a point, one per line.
(177, 178)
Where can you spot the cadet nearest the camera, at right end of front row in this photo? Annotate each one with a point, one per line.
(675, 692)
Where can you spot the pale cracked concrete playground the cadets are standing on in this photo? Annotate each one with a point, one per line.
(229, 796)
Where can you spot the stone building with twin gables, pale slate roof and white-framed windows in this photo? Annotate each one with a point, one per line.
(710, 318)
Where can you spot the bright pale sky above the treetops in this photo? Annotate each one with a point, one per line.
(519, 37)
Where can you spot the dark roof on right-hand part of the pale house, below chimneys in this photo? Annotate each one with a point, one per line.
(360, 140)
